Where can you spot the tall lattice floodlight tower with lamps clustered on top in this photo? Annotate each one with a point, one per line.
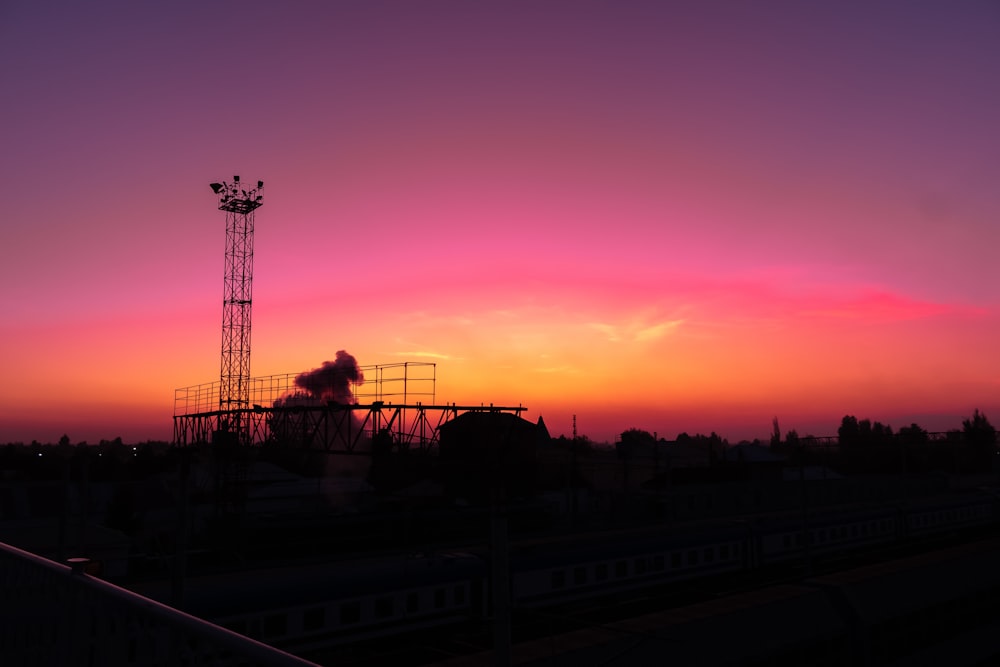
(237, 298)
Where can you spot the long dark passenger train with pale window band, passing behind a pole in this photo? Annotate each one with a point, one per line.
(331, 604)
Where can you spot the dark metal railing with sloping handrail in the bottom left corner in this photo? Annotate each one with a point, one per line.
(54, 614)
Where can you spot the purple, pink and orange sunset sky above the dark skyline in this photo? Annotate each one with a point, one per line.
(675, 216)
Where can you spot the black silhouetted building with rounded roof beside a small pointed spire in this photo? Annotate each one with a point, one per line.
(486, 452)
